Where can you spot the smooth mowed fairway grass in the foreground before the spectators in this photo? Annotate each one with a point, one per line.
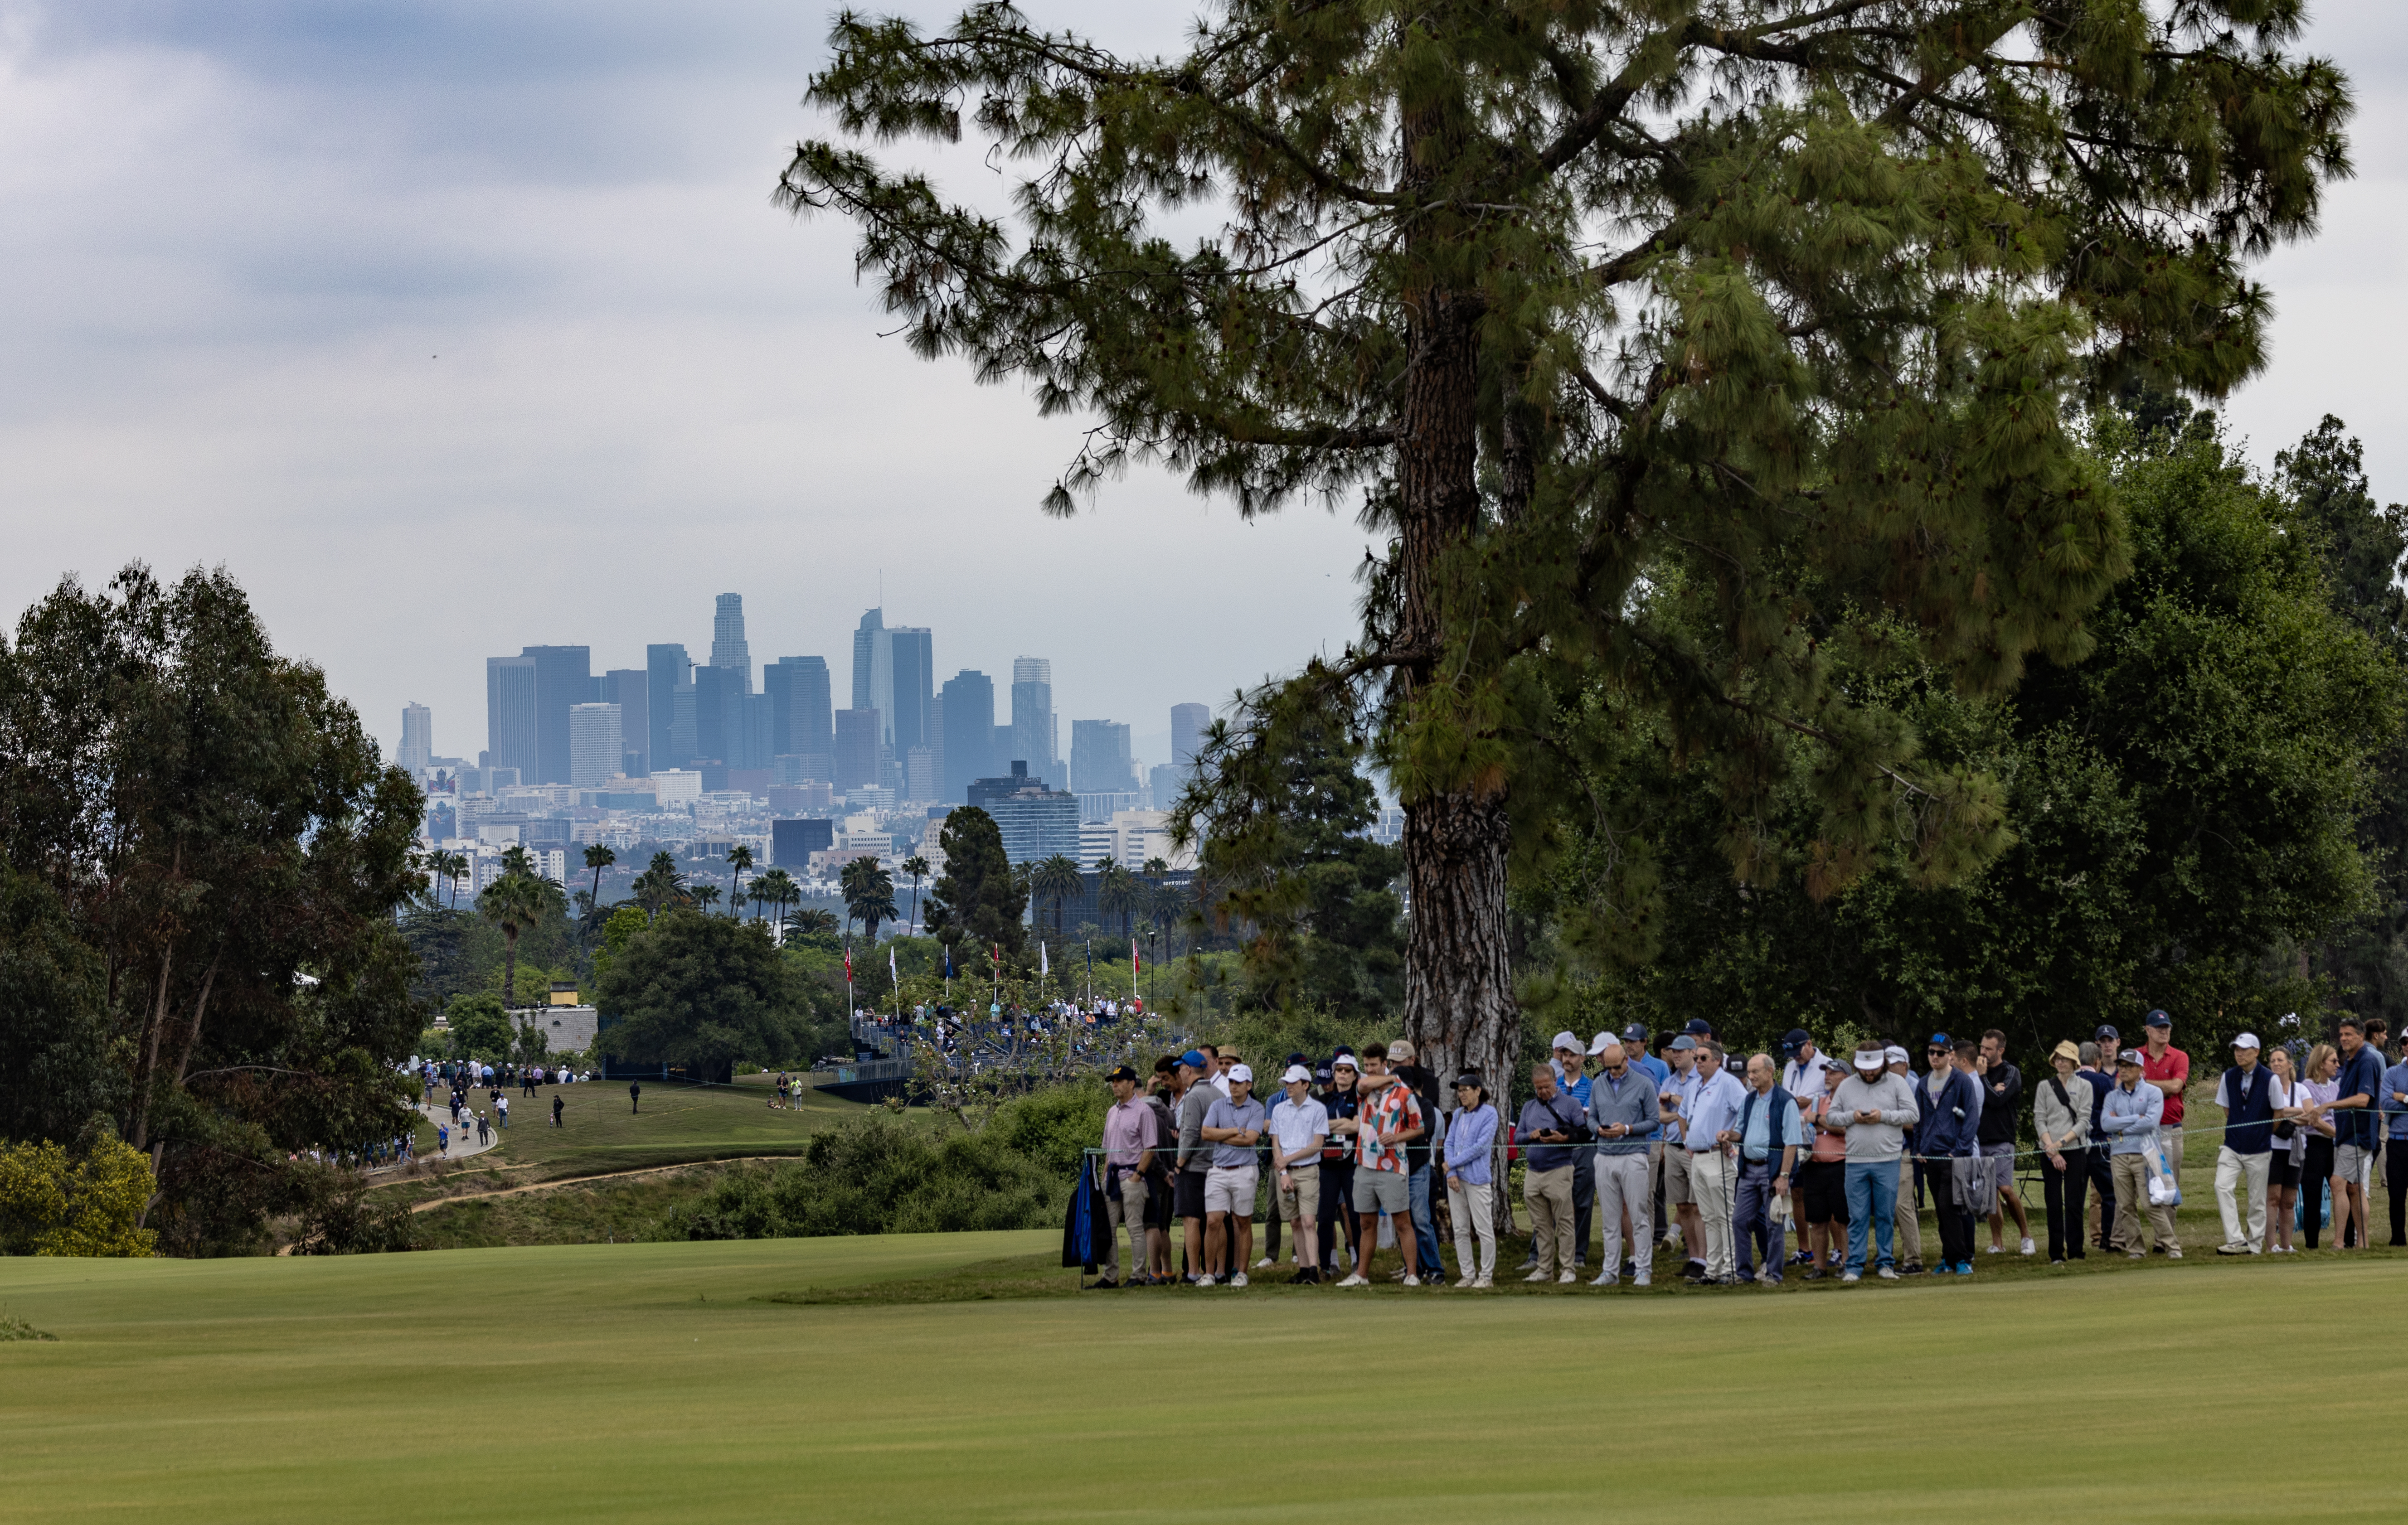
(661, 1384)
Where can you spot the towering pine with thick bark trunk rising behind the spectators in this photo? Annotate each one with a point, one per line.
(1704, 351)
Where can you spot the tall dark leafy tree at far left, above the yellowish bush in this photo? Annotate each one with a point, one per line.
(225, 837)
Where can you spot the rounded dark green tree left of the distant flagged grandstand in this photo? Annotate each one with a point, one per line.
(702, 991)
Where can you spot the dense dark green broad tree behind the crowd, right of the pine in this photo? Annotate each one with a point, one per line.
(2180, 801)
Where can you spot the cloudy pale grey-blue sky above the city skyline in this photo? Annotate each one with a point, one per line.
(454, 326)
